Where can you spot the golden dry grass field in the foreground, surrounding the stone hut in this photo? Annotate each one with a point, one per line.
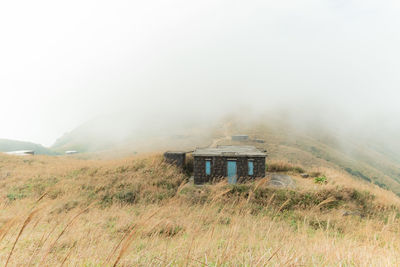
(138, 211)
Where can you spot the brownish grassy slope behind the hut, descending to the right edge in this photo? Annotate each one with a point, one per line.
(316, 147)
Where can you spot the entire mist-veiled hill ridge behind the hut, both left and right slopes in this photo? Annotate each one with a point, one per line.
(311, 145)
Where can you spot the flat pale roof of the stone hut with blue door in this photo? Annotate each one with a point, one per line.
(230, 151)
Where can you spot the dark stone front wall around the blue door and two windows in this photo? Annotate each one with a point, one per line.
(219, 168)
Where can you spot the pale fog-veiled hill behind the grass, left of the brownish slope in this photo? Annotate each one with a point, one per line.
(129, 133)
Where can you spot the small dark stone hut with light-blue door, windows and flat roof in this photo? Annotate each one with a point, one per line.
(237, 163)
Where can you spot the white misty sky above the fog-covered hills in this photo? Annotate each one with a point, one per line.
(65, 62)
